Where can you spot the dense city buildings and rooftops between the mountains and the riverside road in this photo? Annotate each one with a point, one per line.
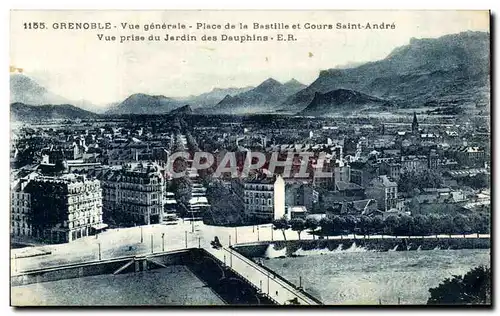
(428, 175)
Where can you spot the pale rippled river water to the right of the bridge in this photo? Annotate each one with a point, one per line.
(357, 276)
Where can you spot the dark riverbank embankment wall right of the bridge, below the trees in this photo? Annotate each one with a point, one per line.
(253, 250)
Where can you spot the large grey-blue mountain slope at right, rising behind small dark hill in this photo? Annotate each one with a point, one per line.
(452, 69)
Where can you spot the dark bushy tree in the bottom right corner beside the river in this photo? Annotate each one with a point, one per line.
(472, 288)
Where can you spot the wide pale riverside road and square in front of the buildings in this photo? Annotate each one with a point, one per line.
(143, 240)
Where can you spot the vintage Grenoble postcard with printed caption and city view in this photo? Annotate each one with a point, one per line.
(204, 158)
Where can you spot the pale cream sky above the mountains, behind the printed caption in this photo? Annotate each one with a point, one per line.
(76, 65)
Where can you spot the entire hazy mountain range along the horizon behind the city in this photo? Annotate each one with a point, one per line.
(445, 71)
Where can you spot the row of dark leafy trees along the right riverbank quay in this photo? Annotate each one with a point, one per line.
(394, 225)
